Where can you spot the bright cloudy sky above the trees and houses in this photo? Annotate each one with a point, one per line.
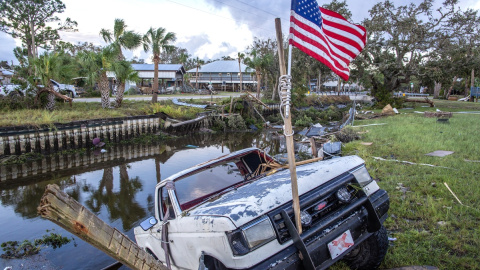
(208, 29)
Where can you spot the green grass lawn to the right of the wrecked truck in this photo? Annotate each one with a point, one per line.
(431, 227)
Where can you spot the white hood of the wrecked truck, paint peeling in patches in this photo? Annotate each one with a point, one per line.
(259, 197)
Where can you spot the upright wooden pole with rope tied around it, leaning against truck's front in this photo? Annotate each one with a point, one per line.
(288, 130)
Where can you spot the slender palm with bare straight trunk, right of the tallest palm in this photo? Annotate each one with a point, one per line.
(157, 40)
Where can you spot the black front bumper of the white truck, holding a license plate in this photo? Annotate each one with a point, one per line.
(359, 223)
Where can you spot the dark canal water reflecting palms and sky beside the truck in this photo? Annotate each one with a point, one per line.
(119, 189)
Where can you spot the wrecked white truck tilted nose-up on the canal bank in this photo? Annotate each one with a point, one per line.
(235, 212)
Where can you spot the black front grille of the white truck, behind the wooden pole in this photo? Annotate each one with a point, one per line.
(310, 202)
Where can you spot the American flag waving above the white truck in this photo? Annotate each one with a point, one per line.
(325, 35)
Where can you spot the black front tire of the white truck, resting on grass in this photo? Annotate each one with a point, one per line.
(370, 253)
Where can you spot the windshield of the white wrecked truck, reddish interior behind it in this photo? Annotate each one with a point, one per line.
(206, 183)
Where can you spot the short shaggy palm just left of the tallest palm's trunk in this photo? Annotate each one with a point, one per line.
(96, 65)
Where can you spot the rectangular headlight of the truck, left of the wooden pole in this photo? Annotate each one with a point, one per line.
(251, 236)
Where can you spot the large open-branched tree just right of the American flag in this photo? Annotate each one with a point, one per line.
(400, 39)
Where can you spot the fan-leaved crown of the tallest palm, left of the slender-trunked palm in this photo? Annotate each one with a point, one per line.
(120, 39)
